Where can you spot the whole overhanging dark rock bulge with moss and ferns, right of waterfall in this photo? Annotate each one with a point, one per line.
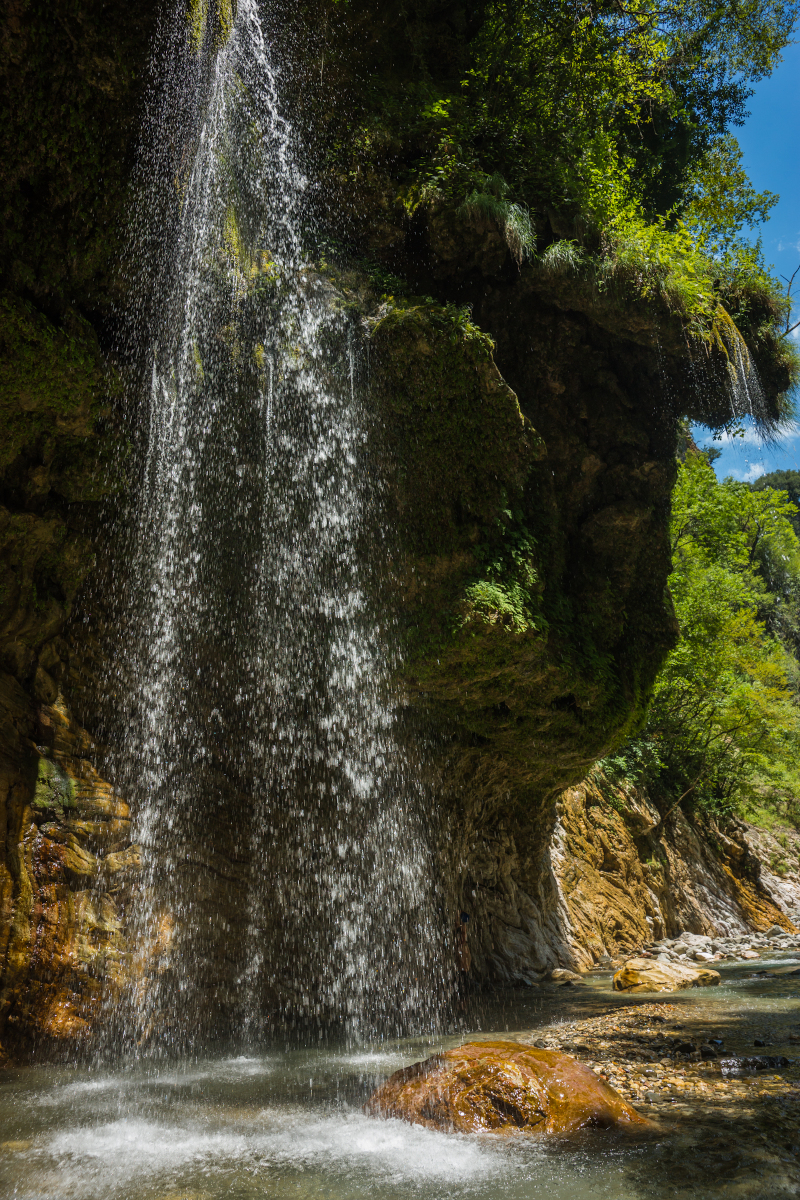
(534, 549)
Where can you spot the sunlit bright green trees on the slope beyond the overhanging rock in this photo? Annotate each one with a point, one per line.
(724, 728)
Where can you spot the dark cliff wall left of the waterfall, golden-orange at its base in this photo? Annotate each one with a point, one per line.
(71, 103)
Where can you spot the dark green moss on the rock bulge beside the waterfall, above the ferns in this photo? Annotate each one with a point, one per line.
(472, 448)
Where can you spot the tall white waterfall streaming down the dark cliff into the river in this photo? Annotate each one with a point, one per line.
(287, 872)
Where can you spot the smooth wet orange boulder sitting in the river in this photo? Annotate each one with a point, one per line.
(503, 1087)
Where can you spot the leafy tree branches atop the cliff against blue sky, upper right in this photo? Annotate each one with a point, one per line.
(580, 107)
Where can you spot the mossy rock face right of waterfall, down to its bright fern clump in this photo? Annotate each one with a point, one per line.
(461, 454)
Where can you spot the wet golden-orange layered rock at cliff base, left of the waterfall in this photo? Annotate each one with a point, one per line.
(65, 877)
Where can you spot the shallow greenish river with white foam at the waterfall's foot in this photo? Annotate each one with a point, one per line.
(290, 1124)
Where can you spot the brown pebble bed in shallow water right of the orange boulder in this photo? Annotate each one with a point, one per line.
(685, 1067)
